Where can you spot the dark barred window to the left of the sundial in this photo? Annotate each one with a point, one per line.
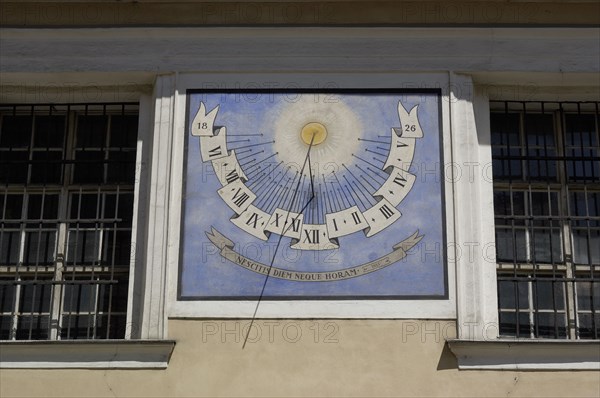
(67, 177)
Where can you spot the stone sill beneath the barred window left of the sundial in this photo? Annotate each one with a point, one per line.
(86, 354)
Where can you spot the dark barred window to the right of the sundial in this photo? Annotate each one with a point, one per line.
(546, 166)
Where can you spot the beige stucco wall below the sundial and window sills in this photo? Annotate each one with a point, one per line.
(344, 358)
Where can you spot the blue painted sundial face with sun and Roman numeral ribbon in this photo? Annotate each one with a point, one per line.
(307, 188)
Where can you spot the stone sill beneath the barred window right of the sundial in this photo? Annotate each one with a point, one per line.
(521, 354)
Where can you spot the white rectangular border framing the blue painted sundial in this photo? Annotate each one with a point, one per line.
(432, 309)
